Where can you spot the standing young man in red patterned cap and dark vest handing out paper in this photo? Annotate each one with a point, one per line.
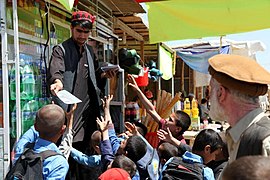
(74, 67)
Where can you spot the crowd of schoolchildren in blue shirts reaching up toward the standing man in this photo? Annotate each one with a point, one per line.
(129, 155)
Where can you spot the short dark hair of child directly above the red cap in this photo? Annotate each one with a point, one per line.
(123, 162)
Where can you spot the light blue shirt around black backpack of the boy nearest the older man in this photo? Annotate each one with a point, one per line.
(193, 158)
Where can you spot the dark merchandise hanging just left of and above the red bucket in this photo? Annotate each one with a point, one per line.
(129, 60)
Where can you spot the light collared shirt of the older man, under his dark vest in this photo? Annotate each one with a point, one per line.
(234, 134)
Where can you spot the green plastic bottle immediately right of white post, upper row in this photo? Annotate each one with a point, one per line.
(28, 81)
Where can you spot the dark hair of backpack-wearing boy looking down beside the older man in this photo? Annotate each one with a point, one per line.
(207, 137)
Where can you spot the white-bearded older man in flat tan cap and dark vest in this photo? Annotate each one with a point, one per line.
(235, 87)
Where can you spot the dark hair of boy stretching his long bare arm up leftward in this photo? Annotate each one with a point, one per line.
(182, 120)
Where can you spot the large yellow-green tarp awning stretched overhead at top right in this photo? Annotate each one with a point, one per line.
(192, 19)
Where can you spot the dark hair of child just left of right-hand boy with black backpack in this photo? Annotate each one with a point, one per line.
(167, 150)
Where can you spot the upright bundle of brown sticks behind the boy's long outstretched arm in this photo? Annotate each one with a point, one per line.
(164, 106)
